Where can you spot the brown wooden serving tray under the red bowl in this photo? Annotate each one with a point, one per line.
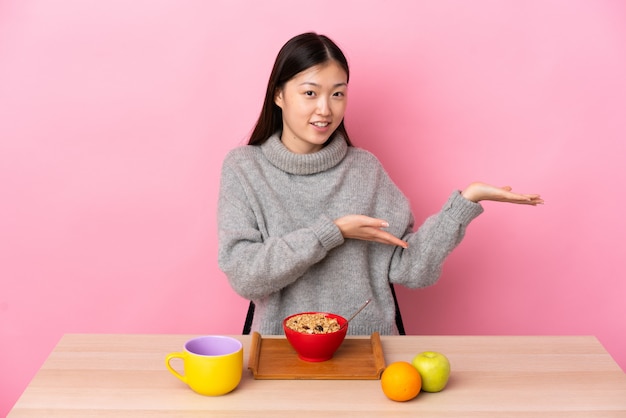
(356, 359)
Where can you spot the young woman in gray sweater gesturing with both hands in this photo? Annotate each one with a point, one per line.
(308, 222)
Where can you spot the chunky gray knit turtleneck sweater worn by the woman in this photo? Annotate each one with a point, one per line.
(279, 246)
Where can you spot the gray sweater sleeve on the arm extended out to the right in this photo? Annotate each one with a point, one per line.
(420, 265)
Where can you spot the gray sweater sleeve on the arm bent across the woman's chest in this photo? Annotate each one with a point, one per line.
(255, 263)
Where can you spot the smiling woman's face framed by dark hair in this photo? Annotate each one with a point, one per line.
(313, 104)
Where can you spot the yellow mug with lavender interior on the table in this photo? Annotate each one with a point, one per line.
(213, 364)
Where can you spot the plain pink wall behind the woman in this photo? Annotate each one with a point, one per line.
(115, 116)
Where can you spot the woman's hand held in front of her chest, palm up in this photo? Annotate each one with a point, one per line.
(367, 229)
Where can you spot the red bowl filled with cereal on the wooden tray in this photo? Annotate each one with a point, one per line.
(315, 335)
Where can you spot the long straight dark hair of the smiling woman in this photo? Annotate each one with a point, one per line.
(298, 54)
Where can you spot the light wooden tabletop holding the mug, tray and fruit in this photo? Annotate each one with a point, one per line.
(492, 376)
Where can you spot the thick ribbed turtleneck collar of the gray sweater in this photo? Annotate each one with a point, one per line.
(304, 164)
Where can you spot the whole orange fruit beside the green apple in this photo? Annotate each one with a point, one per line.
(401, 381)
